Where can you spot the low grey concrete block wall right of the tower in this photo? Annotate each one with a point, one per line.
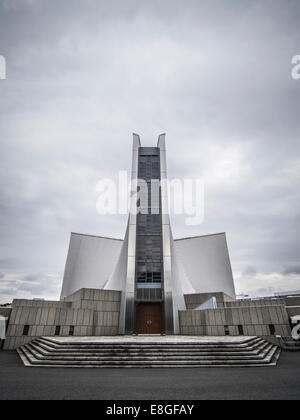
(254, 319)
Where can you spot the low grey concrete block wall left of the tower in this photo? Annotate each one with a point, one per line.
(91, 312)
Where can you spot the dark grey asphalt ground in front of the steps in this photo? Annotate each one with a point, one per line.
(18, 382)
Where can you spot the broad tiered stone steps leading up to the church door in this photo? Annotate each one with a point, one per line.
(42, 352)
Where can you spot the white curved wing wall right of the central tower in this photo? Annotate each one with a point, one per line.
(206, 263)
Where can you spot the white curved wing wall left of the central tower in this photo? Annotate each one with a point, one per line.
(91, 261)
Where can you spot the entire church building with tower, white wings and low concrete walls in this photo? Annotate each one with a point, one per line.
(148, 283)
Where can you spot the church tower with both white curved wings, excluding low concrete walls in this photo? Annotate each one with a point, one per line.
(151, 269)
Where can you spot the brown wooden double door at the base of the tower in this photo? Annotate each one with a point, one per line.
(149, 318)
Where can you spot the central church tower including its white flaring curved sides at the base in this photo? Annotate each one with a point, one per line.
(148, 272)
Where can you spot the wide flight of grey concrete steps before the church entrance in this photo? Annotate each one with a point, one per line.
(48, 352)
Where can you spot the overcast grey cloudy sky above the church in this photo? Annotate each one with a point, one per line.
(82, 75)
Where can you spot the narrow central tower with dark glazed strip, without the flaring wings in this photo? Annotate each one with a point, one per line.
(148, 301)
